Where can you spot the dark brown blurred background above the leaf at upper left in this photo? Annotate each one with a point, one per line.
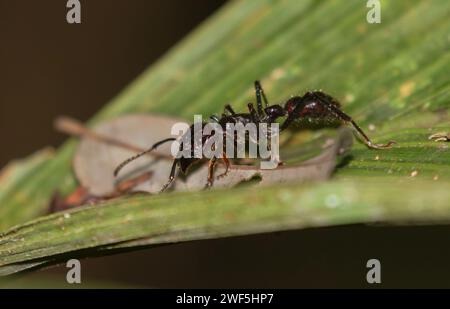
(50, 67)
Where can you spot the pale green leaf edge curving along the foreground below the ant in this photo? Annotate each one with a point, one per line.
(216, 214)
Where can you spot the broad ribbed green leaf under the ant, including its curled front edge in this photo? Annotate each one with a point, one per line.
(391, 76)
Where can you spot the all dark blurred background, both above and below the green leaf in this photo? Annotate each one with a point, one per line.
(49, 67)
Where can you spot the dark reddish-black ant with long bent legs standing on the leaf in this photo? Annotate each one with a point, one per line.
(312, 105)
